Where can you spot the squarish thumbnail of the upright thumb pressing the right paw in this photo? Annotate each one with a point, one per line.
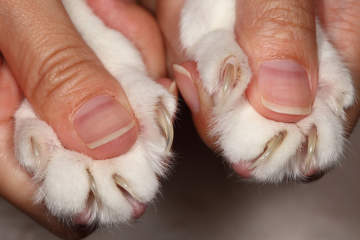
(285, 87)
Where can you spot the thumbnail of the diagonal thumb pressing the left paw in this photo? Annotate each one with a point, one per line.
(101, 120)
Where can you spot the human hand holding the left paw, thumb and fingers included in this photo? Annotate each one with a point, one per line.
(58, 73)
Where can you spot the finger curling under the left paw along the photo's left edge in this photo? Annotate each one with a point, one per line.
(15, 184)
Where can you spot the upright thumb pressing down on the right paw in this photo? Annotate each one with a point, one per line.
(280, 39)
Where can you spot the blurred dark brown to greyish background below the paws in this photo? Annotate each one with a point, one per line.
(203, 200)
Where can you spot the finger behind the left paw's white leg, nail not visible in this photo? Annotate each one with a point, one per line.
(139, 27)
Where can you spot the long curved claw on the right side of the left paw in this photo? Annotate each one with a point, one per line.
(165, 124)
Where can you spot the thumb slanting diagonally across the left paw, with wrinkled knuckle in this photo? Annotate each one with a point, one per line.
(64, 81)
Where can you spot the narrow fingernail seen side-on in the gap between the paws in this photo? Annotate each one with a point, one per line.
(187, 87)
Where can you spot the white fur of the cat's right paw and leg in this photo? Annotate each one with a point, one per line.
(207, 34)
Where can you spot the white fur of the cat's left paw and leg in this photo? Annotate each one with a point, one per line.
(62, 174)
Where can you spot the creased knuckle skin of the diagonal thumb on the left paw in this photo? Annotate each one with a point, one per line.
(59, 72)
